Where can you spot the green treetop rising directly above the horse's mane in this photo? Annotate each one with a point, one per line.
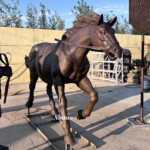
(81, 9)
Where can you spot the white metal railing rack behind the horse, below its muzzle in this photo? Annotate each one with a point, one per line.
(102, 66)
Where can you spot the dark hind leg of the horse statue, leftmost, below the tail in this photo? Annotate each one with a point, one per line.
(33, 79)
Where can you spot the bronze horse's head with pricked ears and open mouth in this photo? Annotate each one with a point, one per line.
(104, 36)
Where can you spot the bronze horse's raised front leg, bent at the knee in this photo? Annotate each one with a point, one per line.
(87, 87)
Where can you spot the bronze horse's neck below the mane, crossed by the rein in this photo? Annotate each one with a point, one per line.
(81, 37)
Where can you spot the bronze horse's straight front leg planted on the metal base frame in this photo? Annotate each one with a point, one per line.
(59, 86)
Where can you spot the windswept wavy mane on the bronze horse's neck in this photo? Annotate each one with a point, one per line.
(82, 21)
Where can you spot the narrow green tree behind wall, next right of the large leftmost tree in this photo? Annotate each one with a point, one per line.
(32, 17)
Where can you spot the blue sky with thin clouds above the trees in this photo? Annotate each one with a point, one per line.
(64, 7)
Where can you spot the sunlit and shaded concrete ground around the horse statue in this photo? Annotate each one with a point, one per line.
(107, 127)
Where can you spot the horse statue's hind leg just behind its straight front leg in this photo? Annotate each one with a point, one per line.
(54, 110)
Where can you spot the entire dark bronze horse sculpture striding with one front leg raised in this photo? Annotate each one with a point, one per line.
(66, 62)
